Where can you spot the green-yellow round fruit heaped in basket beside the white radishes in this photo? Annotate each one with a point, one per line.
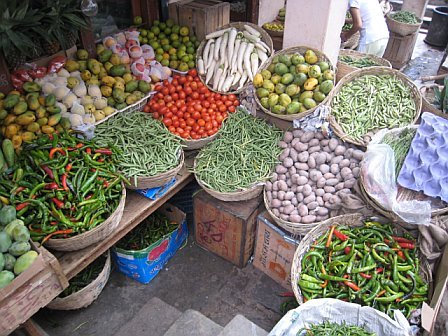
(294, 83)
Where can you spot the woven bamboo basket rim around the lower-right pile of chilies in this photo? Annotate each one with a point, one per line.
(354, 220)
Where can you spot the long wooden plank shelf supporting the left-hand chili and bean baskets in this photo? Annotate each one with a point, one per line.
(136, 209)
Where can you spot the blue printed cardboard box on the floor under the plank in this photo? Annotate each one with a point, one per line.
(143, 265)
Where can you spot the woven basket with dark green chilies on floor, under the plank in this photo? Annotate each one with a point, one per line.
(85, 287)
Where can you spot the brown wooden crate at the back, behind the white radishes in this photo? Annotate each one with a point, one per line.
(202, 16)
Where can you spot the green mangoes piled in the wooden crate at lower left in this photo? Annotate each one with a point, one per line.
(15, 250)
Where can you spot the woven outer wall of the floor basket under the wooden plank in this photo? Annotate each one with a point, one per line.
(86, 295)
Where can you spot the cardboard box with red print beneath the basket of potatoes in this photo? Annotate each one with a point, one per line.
(274, 250)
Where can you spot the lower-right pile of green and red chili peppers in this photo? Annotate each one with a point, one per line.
(368, 265)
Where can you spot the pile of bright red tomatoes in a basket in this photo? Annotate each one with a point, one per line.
(188, 108)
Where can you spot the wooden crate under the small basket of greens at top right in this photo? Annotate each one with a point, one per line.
(399, 49)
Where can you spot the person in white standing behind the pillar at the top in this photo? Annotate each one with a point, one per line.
(368, 19)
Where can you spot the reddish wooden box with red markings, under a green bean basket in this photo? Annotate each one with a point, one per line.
(226, 228)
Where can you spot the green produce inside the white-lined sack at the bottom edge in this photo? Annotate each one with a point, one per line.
(328, 328)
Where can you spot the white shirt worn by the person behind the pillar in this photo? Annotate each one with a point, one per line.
(374, 25)
